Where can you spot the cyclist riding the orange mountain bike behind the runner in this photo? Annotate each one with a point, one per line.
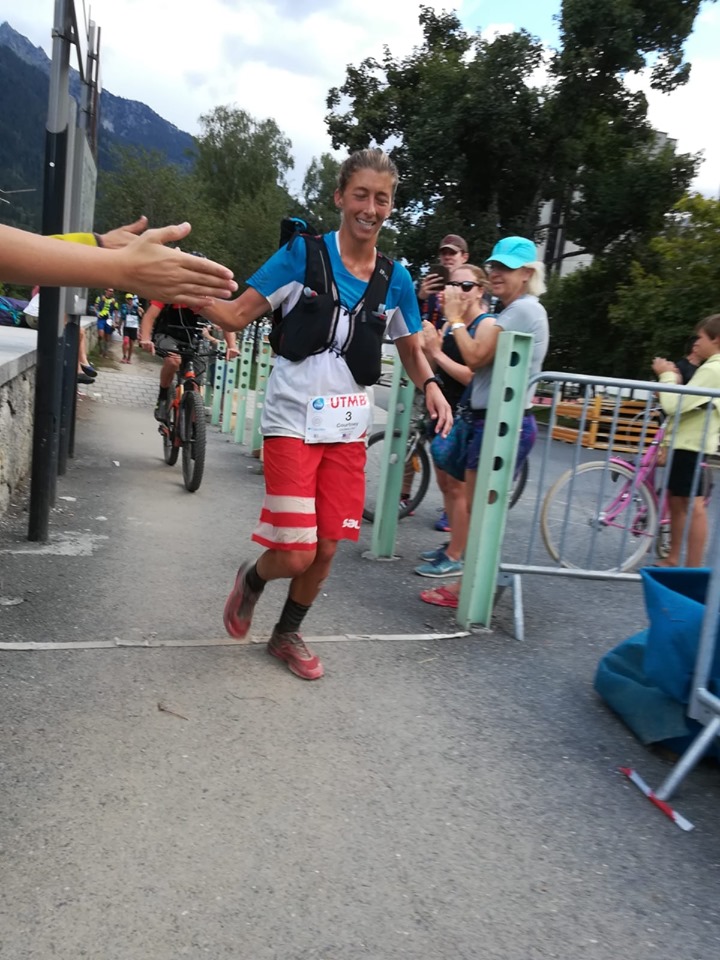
(165, 327)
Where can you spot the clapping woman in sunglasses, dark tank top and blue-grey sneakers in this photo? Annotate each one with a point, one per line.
(469, 285)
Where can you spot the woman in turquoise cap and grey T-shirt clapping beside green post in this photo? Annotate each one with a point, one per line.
(517, 278)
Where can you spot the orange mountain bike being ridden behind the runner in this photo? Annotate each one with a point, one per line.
(185, 428)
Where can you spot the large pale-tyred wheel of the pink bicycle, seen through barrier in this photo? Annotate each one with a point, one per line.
(585, 532)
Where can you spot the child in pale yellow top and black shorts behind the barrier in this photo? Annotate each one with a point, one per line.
(691, 437)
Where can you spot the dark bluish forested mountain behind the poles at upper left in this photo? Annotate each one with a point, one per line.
(24, 87)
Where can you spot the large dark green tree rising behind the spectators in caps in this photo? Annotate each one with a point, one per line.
(479, 144)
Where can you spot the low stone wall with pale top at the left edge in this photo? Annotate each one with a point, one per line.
(17, 400)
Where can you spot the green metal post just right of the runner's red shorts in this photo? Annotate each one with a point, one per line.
(392, 467)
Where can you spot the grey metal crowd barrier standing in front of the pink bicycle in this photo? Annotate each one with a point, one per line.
(599, 522)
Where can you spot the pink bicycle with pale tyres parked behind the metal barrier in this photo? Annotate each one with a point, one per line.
(606, 515)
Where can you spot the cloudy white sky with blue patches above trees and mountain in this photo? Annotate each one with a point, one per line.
(279, 58)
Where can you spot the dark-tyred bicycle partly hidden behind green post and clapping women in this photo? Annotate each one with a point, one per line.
(417, 470)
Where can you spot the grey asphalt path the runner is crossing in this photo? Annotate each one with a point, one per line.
(429, 798)
